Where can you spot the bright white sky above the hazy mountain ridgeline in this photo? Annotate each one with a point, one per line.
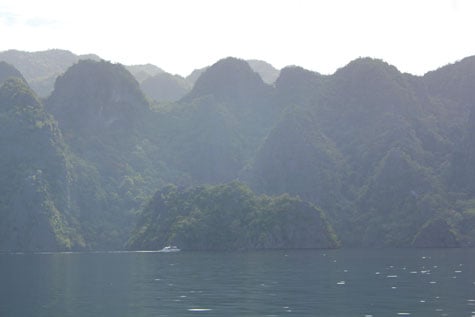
(179, 36)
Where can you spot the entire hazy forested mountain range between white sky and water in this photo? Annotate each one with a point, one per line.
(368, 156)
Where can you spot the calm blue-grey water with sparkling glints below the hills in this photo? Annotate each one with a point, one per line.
(402, 282)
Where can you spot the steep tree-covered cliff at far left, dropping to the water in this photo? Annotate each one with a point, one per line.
(36, 183)
